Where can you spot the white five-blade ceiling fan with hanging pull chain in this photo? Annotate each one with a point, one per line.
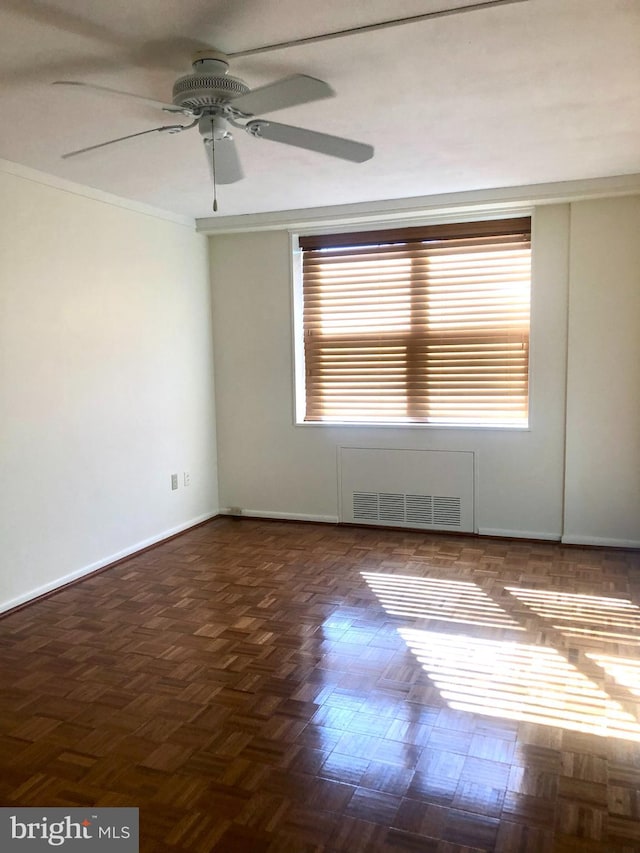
(218, 103)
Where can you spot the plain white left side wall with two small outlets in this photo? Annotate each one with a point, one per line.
(106, 383)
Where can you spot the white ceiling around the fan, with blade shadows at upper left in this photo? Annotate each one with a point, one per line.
(534, 92)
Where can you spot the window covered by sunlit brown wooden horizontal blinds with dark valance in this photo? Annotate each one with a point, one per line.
(418, 325)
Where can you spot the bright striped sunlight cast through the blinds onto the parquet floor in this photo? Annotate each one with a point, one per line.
(518, 680)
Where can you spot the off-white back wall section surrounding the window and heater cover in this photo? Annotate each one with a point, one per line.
(269, 466)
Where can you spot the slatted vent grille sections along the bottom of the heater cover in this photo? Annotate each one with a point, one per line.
(436, 511)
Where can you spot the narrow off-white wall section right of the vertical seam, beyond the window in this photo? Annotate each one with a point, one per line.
(603, 405)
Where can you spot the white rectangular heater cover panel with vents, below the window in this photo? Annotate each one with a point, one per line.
(425, 489)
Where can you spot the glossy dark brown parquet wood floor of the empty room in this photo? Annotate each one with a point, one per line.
(280, 687)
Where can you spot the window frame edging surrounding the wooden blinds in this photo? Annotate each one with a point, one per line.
(462, 226)
